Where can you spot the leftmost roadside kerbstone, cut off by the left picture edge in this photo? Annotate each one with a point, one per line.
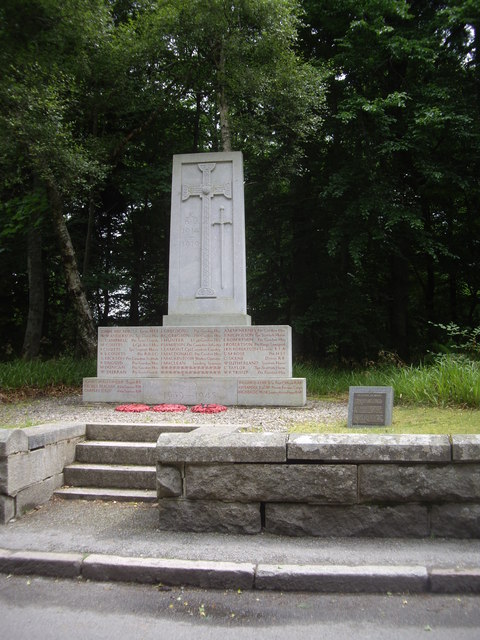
(42, 563)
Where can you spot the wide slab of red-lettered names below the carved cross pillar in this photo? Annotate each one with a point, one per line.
(147, 352)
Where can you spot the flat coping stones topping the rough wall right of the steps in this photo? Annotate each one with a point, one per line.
(234, 443)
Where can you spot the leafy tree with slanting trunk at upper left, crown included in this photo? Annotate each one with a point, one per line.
(45, 57)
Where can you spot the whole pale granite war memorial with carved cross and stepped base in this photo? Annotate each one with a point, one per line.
(206, 351)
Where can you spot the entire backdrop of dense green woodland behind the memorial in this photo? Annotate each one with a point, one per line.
(359, 121)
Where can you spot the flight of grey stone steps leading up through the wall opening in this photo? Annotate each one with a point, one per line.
(116, 462)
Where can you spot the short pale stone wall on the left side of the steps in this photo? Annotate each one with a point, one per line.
(31, 464)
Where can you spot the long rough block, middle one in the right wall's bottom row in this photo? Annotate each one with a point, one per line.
(347, 521)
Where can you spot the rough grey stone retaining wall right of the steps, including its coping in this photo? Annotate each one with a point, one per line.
(322, 485)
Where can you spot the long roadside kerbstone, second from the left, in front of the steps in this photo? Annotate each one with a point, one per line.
(195, 573)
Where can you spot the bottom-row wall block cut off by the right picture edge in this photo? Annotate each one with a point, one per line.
(456, 520)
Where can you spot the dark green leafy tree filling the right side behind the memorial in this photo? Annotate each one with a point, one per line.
(390, 171)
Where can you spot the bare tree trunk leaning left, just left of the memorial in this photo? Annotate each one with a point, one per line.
(85, 327)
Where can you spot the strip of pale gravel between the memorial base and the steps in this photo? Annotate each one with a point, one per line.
(72, 409)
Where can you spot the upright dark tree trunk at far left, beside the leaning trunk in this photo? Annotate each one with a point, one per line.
(36, 295)
